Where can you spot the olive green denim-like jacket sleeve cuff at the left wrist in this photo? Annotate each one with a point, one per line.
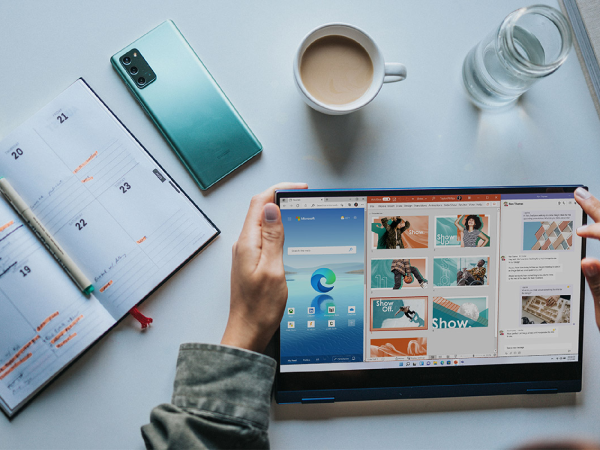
(221, 399)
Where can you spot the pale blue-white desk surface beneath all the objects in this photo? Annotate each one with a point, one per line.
(552, 136)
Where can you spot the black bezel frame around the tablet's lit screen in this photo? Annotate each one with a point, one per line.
(424, 382)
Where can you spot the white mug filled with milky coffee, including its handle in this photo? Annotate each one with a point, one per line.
(338, 78)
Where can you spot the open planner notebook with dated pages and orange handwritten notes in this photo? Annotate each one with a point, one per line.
(114, 211)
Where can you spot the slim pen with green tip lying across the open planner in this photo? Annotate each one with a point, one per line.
(65, 261)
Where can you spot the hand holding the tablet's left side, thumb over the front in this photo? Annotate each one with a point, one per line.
(258, 287)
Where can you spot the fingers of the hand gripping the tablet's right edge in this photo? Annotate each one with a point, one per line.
(591, 266)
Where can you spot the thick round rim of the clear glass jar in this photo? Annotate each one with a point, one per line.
(506, 38)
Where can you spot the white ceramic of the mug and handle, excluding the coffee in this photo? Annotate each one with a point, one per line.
(382, 72)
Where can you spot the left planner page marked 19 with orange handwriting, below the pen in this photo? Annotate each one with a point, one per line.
(45, 319)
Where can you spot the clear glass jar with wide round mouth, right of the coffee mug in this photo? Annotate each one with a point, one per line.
(530, 44)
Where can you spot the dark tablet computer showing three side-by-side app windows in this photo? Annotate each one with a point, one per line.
(430, 292)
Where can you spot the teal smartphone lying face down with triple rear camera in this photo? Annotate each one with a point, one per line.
(187, 105)
